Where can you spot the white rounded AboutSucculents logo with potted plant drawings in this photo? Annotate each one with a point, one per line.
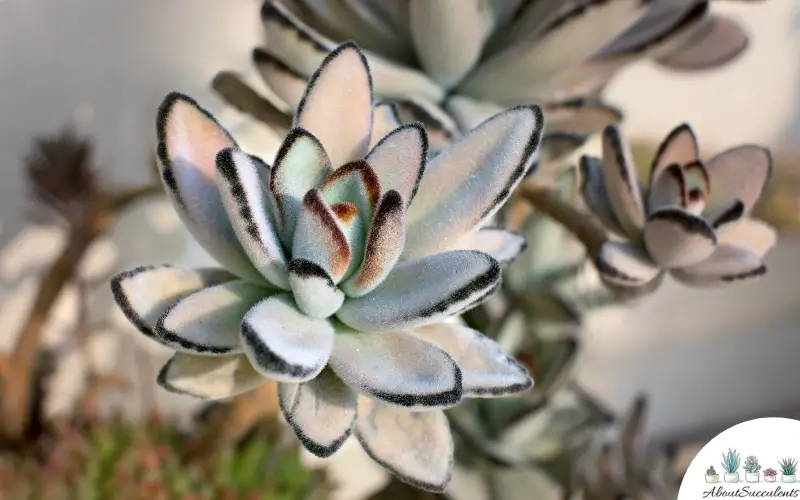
(758, 458)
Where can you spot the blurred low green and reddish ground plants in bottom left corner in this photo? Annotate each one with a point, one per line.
(91, 457)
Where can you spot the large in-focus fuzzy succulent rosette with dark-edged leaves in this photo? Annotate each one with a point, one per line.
(341, 262)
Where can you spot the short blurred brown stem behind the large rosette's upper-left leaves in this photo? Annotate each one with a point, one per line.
(238, 94)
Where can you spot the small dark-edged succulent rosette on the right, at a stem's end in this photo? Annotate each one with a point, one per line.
(691, 219)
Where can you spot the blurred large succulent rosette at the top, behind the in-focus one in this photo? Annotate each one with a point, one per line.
(453, 63)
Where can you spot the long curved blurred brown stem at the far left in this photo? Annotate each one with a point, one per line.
(16, 371)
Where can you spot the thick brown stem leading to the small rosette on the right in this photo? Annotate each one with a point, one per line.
(583, 225)
